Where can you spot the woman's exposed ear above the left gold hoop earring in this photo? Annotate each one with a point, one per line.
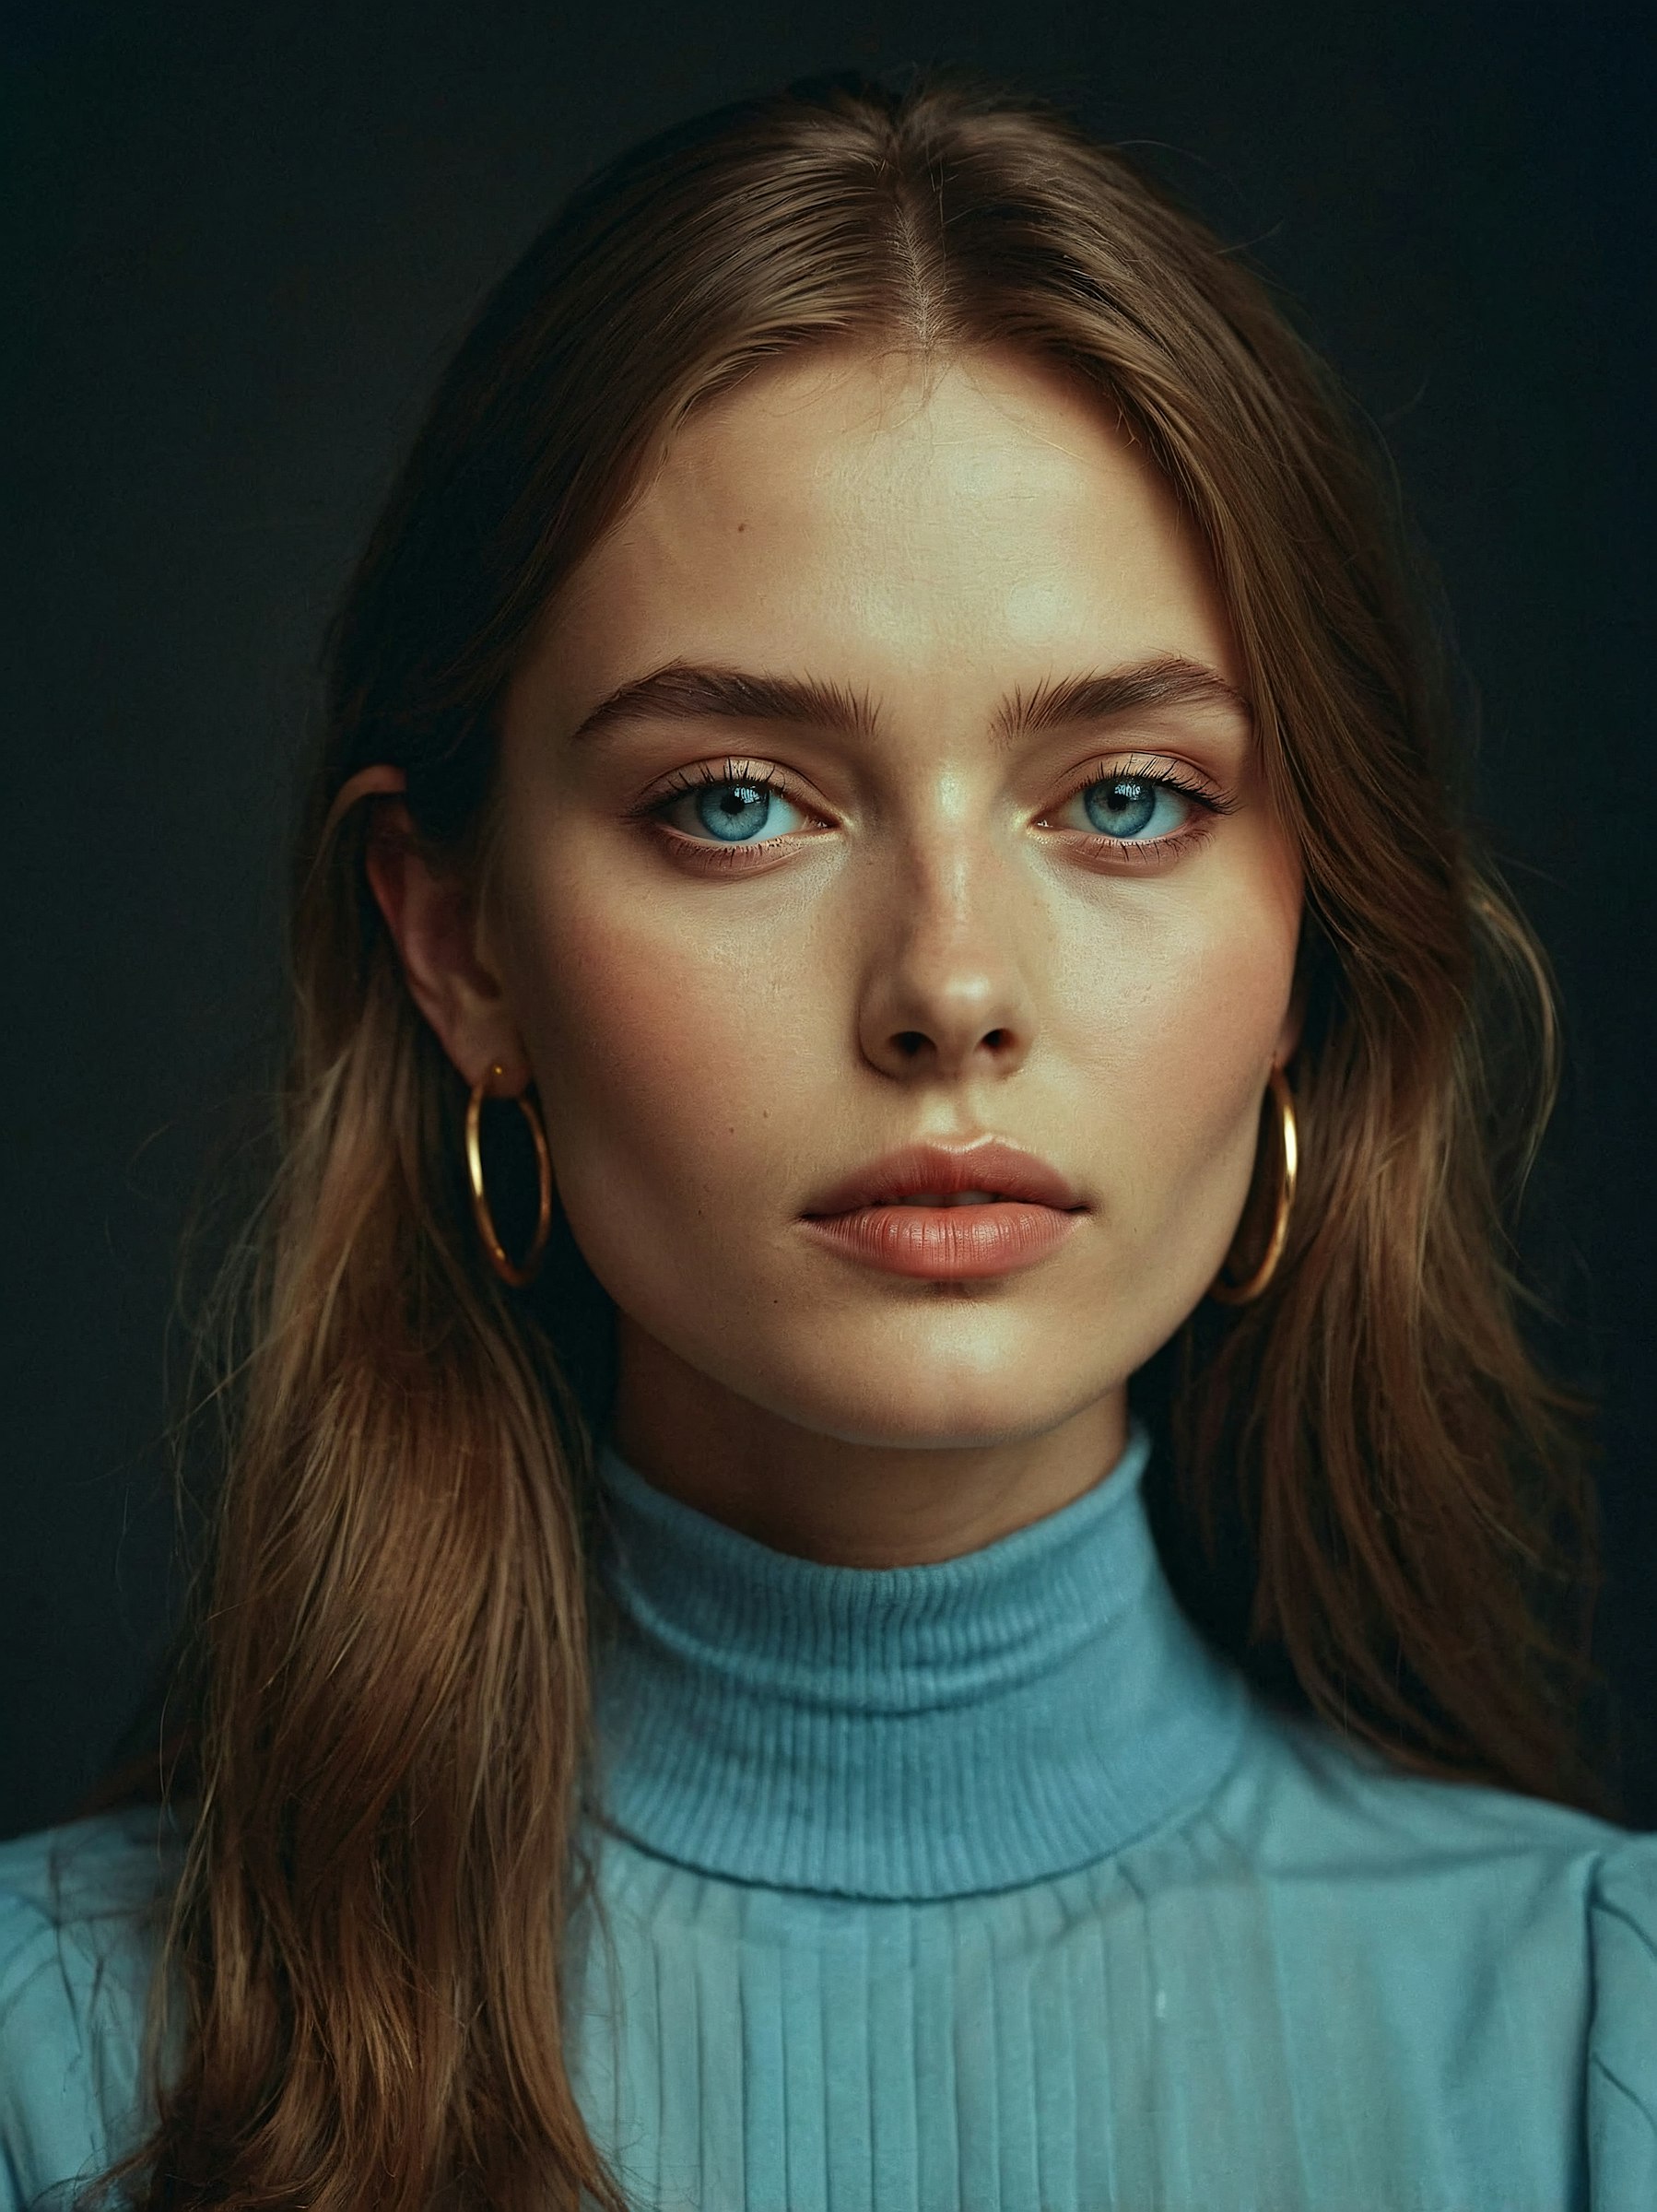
(435, 926)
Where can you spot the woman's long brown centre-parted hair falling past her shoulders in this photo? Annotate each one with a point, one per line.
(1375, 1499)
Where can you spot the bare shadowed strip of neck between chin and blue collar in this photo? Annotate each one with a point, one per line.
(846, 1501)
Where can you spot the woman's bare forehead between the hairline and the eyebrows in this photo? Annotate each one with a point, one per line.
(986, 521)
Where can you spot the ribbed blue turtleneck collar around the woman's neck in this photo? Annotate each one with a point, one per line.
(910, 1731)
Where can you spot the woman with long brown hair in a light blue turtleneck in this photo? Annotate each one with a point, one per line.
(888, 742)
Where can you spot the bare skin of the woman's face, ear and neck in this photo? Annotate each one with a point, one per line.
(939, 943)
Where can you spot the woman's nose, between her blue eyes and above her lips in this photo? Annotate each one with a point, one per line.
(946, 992)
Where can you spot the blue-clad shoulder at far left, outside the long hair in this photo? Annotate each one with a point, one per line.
(81, 1917)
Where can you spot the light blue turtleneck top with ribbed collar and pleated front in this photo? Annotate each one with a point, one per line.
(988, 1886)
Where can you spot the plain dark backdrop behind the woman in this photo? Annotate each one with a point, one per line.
(240, 244)
